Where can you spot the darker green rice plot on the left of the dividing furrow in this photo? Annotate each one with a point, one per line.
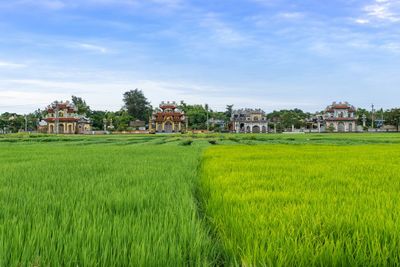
(66, 204)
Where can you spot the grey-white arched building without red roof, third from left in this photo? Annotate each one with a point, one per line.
(249, 121)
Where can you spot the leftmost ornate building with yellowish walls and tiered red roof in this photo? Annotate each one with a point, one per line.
(62, 118)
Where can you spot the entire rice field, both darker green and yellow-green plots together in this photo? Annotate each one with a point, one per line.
(200, 200)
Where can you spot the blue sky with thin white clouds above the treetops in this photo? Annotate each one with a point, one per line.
(268, 54)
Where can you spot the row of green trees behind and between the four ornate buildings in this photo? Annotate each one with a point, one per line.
(137, 107)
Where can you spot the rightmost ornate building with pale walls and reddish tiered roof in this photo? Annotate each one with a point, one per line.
(340, 117)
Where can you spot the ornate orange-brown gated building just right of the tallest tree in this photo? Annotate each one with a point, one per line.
(168, 119)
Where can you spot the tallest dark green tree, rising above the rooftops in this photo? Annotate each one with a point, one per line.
(137, 104)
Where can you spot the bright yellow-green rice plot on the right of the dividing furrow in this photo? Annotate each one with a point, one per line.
(305, 205)
